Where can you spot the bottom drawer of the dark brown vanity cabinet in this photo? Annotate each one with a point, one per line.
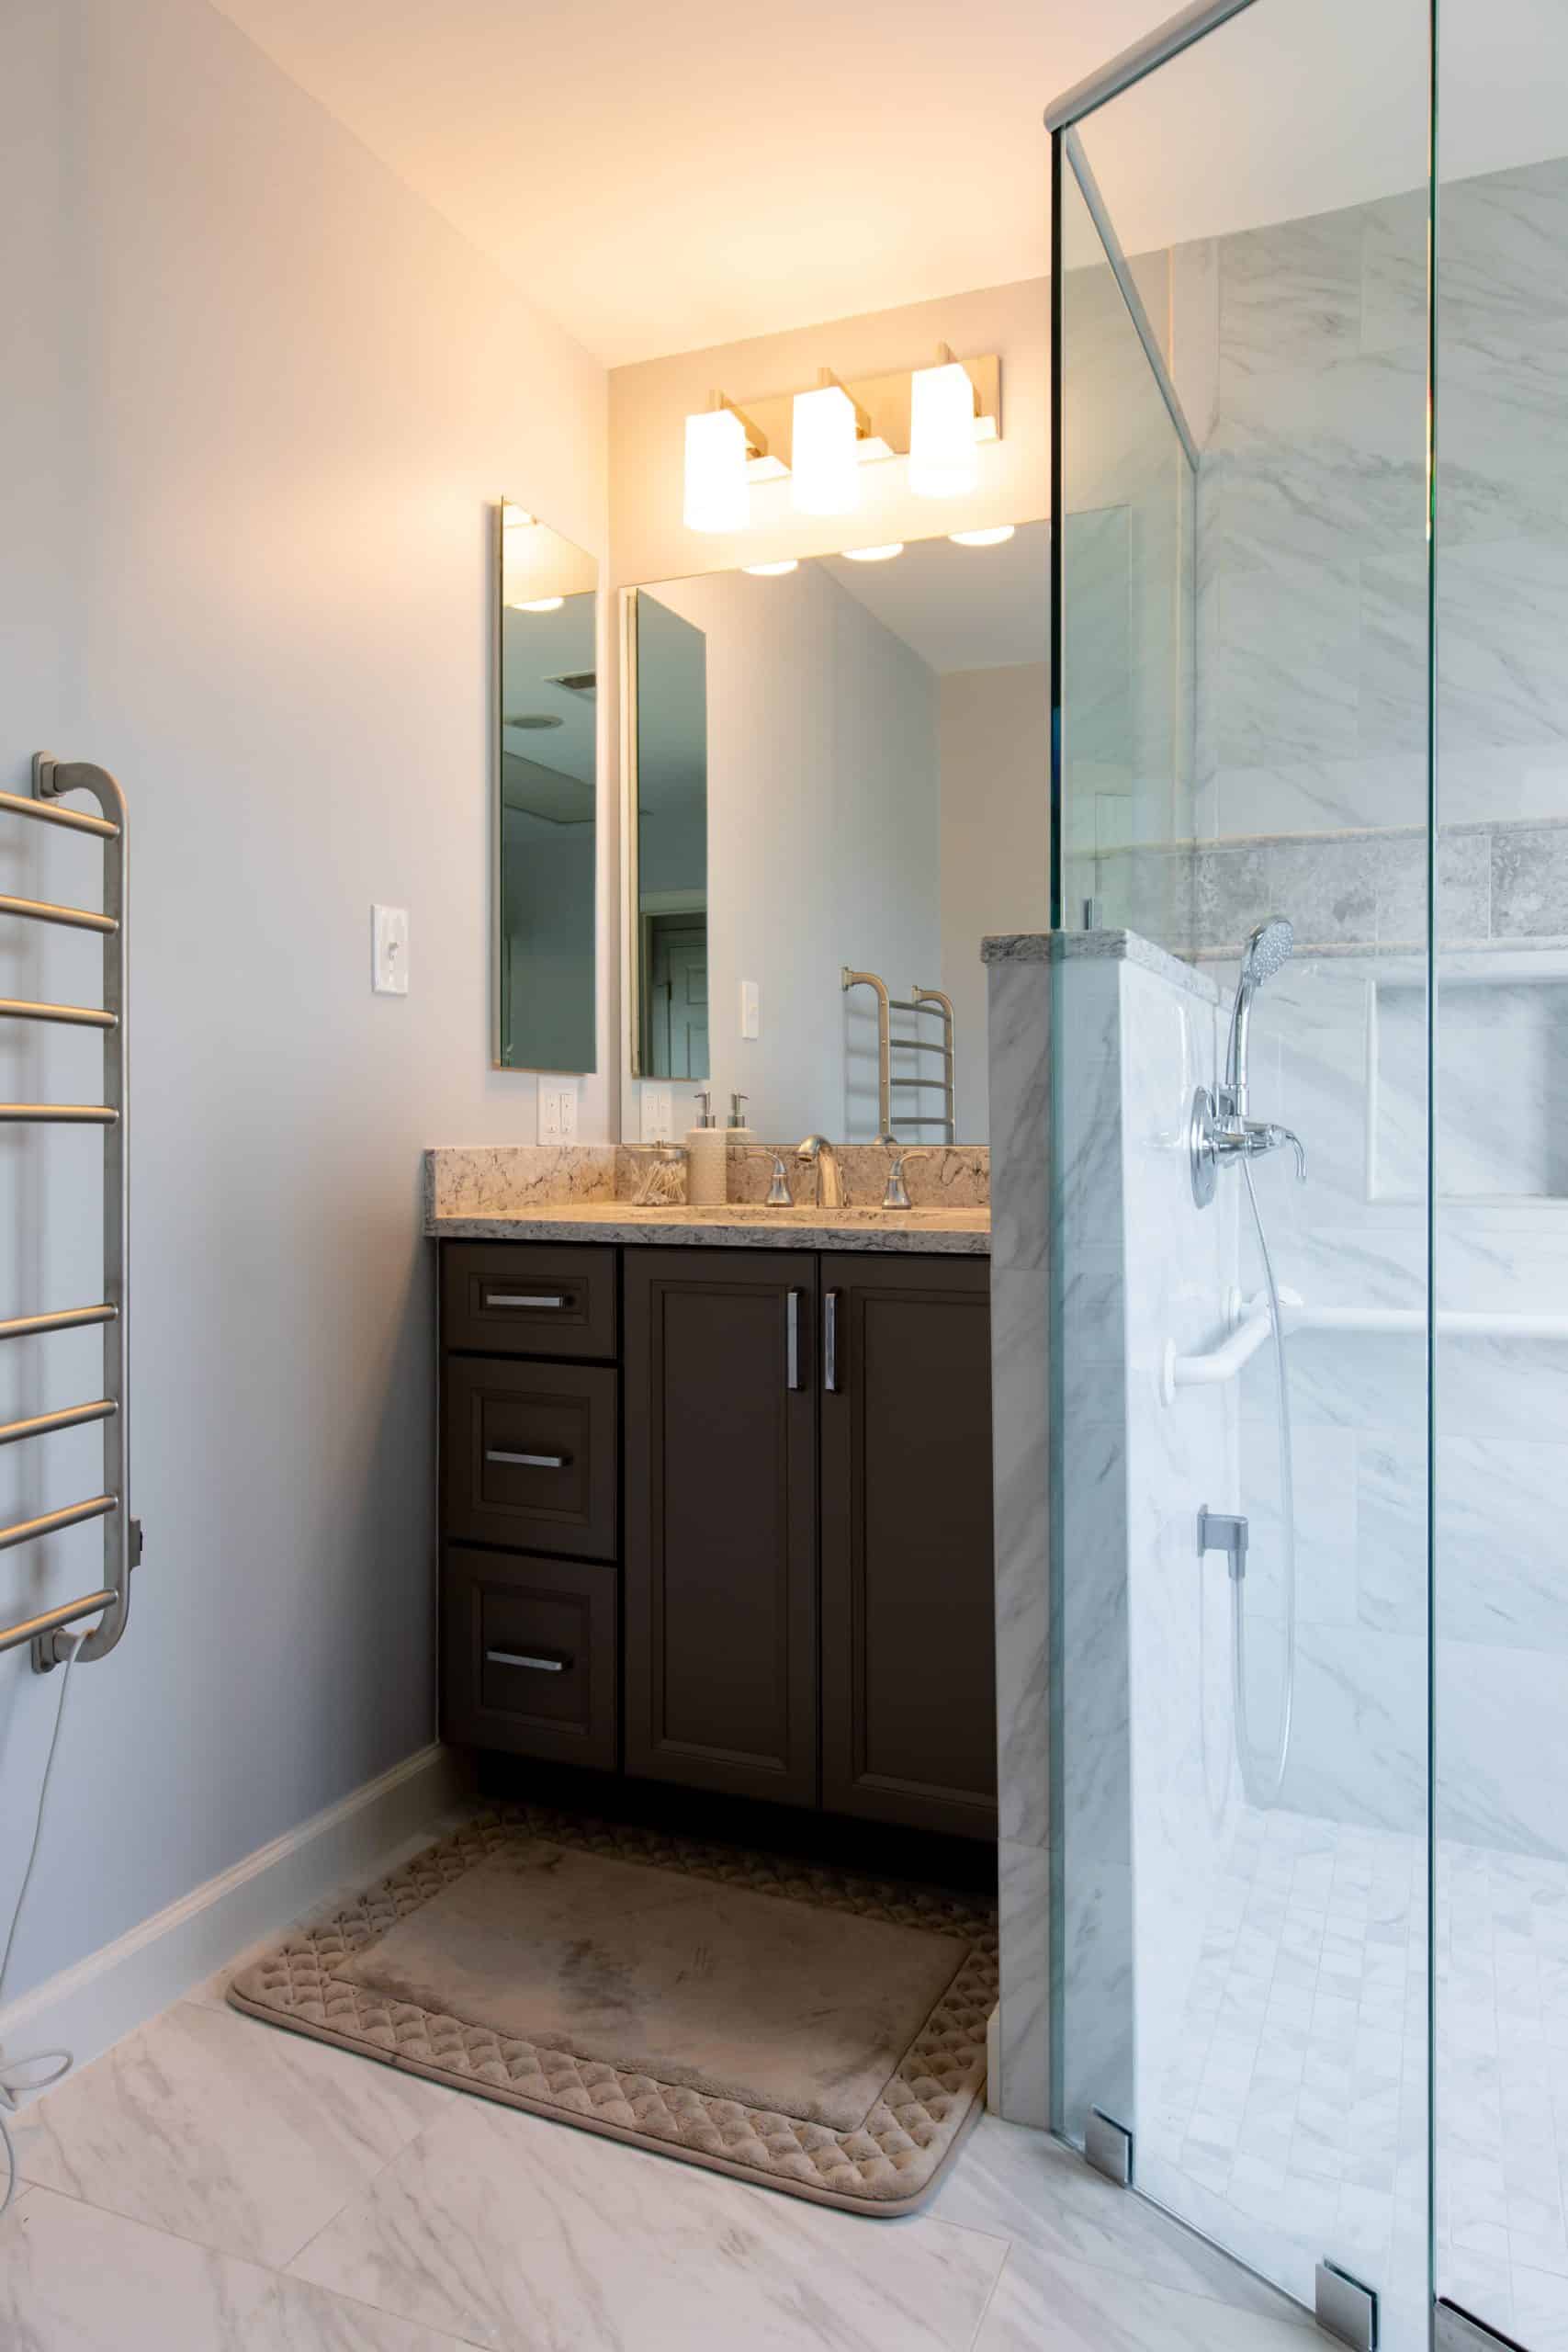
(530, 1657)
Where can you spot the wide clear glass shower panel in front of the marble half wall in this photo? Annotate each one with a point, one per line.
(1242, 1775)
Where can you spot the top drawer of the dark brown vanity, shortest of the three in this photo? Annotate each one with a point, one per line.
(530, 1299)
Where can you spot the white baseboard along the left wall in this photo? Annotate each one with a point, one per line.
(107, 1996)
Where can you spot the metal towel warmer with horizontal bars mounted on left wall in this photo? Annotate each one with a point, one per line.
(121, 1532)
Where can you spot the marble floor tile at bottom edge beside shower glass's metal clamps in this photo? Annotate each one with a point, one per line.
(1047, 2304)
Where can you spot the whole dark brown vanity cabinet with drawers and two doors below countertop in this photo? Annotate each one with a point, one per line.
(721, 1518)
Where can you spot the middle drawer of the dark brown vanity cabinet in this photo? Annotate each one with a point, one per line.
(530, 1457)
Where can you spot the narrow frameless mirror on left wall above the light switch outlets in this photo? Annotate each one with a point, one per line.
(547, 801)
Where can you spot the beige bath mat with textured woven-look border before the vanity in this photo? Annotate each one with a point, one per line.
(782, 2022)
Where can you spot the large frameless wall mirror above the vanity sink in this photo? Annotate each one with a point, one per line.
(840, 766)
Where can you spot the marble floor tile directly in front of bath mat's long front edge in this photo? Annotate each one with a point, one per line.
(511, 2231)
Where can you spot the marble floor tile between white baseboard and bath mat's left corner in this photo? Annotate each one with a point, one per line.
(225, 2132)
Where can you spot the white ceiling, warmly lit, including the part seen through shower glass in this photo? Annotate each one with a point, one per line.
(695, 173)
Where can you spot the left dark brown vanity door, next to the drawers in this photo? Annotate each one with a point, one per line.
(721, 1521)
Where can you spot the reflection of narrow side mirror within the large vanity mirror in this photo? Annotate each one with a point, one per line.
(669, 664)
